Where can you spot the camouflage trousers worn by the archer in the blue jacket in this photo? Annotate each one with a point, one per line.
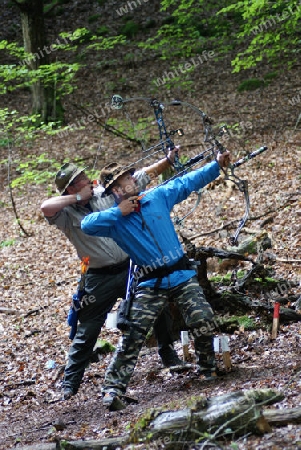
(146, 307)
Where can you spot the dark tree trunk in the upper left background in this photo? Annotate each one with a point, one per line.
(33, 28)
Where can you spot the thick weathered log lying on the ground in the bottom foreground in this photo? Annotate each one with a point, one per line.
(239, 411)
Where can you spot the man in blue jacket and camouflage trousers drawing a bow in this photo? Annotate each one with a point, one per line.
(142, 227)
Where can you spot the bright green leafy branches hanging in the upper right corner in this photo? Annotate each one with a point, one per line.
(264, 30)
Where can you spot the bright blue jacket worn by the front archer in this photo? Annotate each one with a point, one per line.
(149, 236)
